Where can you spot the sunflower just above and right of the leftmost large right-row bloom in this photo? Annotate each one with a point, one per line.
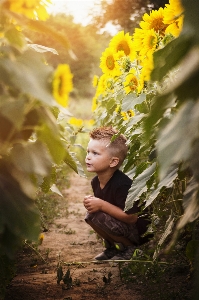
(123, 42)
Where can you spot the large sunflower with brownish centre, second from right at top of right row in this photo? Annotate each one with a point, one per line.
(154, 21)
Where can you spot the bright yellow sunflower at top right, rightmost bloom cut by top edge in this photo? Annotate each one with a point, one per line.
(173, 17)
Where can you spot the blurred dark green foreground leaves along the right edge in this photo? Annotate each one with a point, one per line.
(177, 140)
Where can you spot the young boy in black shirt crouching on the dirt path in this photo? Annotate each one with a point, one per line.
(121, 231)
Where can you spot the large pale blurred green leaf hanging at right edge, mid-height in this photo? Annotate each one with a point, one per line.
(175, 142)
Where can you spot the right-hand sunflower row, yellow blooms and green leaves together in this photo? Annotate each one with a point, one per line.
(149, 91)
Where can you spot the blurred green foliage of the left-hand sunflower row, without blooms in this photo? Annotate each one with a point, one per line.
(33, 142)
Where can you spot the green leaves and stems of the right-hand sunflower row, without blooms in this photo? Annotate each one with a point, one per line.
(163, 135)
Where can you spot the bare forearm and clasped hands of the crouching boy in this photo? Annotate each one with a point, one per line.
(93, 204)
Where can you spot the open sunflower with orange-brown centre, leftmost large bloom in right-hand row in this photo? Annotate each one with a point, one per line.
(109, 64)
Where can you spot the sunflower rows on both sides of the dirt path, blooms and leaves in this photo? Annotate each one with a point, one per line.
(148, 90)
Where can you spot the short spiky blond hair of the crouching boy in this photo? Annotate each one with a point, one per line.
(117, 147)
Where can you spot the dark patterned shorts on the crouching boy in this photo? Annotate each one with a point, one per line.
(113, 226)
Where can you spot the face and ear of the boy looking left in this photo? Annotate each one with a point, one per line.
(99, 158)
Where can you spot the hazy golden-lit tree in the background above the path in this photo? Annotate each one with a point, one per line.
(85, 47)
